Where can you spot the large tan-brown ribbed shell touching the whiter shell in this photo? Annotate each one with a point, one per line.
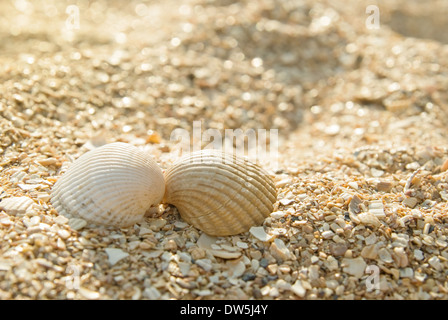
(218, 193)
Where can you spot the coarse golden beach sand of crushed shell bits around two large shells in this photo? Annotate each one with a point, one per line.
(355, 91)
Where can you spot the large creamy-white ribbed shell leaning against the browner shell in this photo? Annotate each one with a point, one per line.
(113, 185)
